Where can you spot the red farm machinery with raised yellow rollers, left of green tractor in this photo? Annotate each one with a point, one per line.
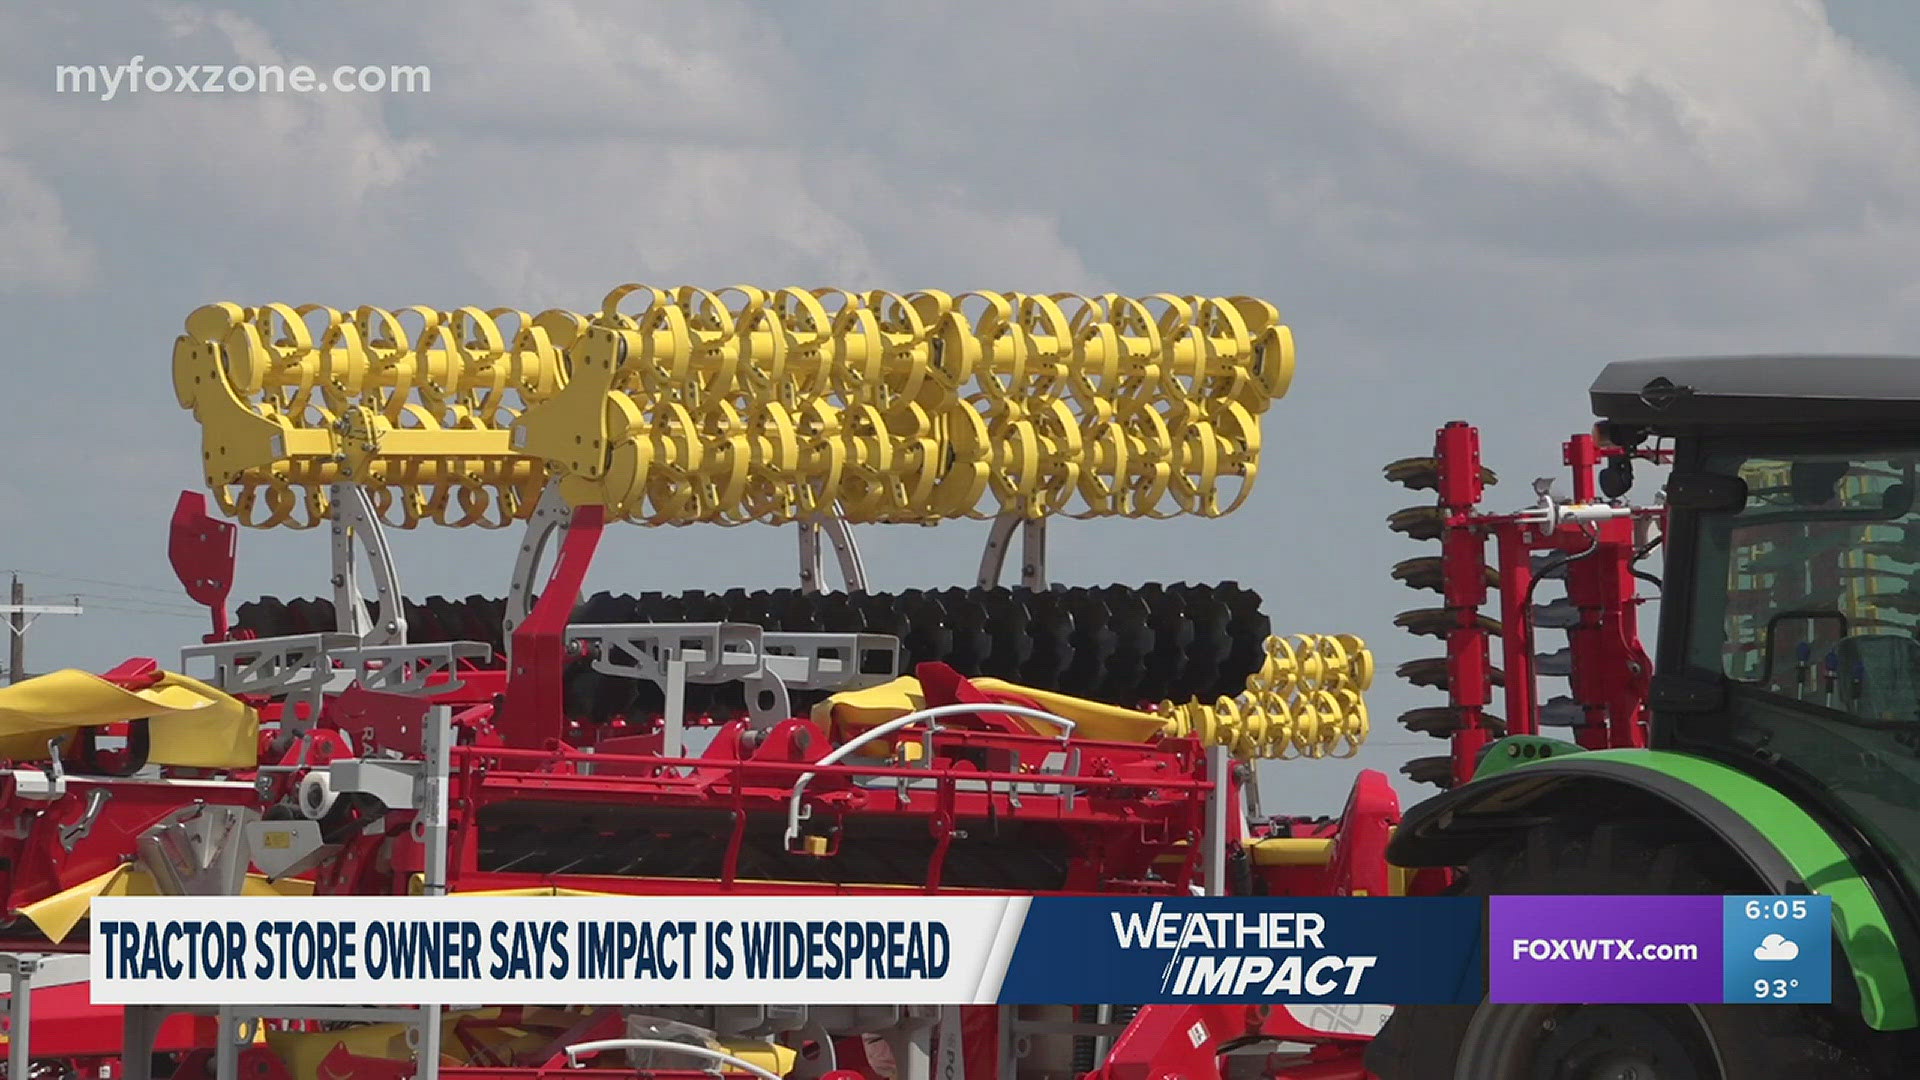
(1040, 739)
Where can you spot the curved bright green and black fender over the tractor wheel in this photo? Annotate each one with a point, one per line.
(1525, 781)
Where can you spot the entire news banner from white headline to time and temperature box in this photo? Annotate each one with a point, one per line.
(961, 950)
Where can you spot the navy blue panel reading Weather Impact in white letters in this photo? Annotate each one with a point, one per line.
(1278, 950)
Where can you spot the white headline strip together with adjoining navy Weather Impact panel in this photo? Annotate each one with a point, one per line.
(924, 950)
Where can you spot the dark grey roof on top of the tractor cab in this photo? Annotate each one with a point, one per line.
(1775, 393)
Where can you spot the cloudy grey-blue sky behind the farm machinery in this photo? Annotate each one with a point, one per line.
(1464, 209)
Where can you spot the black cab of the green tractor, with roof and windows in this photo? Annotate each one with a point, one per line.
(1790, 627)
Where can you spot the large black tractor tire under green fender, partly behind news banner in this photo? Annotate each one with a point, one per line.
(1600, 1043)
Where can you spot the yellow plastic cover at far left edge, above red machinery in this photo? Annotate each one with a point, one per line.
(189, 724)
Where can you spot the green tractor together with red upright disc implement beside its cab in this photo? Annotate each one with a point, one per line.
(1771, 750)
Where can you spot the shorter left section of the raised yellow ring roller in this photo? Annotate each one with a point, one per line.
(416, 406)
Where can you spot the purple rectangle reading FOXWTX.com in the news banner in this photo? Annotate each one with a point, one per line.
(1596, 950)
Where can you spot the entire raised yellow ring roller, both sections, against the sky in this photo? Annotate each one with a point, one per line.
(675, 406)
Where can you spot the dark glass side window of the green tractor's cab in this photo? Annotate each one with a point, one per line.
(1808, 599)
